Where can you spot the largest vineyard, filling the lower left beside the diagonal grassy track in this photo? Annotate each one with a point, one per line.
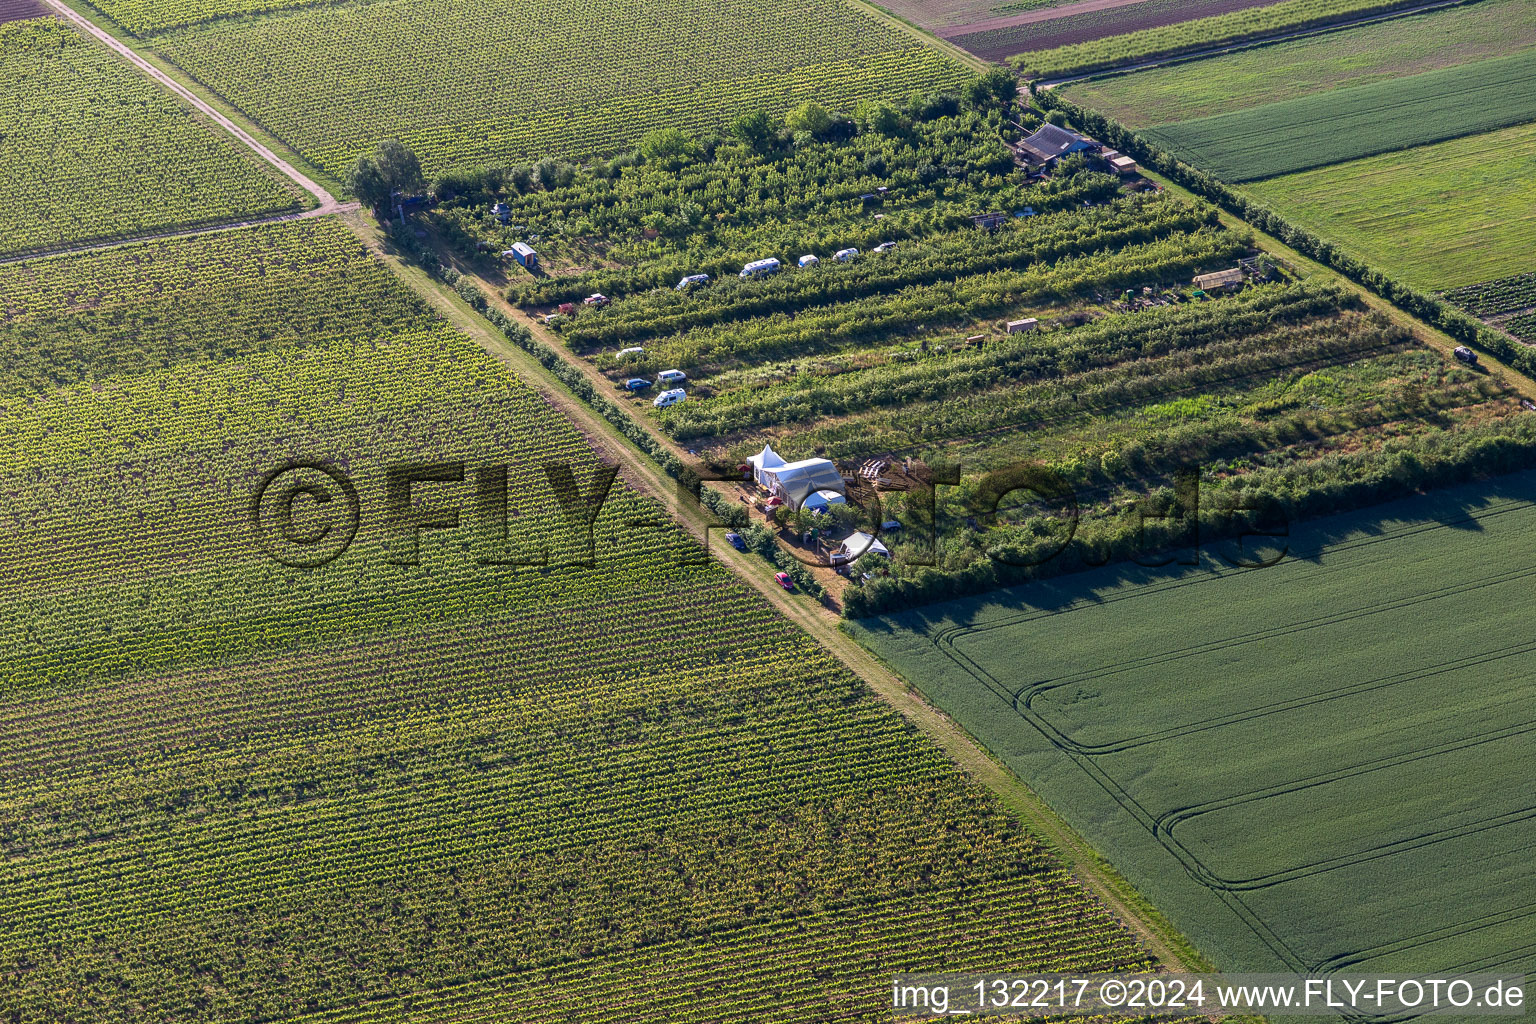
(270, 753)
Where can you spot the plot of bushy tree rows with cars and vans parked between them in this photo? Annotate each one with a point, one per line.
(1286, 394)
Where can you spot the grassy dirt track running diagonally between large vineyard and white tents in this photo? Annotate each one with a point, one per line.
(1171, 948)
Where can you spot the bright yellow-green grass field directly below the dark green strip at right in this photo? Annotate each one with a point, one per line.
(1437, 217)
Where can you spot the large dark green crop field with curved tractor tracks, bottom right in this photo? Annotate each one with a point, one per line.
(1322, 767)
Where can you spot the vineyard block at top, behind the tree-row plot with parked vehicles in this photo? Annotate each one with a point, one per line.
(475, 82)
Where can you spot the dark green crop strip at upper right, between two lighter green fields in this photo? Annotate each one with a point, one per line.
(1329, 128)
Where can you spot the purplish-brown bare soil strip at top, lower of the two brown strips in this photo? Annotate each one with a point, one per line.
(1085, 22)
